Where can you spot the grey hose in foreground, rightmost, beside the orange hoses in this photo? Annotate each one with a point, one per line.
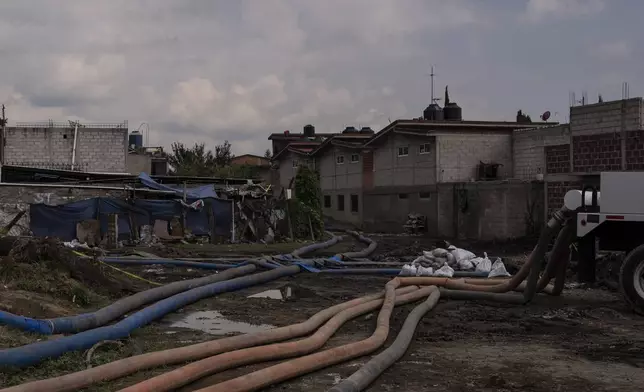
(359, 380)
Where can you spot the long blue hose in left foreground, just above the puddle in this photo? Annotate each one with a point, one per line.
(36, 352)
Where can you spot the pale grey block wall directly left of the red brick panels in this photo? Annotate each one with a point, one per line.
(529, 149)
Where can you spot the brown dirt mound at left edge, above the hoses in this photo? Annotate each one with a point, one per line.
(47, 266)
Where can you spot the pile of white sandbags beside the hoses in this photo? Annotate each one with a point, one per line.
(445, 261)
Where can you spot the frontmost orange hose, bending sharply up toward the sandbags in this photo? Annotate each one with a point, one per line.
(302, 365)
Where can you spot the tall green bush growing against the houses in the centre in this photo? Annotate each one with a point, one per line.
(307, 203)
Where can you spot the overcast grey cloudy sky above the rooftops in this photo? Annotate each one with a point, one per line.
(210, 70)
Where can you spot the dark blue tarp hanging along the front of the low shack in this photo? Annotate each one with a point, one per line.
(60, 221)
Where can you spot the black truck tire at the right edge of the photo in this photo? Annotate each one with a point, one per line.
(631, 279)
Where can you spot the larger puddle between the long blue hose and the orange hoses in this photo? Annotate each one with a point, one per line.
(215, 323)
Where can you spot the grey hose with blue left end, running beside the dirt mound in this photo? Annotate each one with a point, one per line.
(111, 312)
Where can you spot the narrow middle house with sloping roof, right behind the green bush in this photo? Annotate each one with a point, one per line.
(339, 161)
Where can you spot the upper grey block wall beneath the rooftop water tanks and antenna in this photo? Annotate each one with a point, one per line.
(460, 154)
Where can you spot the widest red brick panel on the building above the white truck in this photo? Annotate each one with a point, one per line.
(597, 152)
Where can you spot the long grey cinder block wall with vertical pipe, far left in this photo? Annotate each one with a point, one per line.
(97, 149)
